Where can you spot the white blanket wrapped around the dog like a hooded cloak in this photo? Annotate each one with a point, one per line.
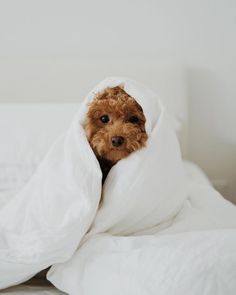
(44, 223)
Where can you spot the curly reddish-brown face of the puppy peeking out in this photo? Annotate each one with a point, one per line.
(115, 125)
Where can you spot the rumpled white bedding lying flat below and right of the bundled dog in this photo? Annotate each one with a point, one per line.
(195, 255)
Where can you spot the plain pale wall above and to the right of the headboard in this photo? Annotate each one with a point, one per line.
(200, 34)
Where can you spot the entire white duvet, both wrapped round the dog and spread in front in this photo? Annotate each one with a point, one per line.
(154, 233)
